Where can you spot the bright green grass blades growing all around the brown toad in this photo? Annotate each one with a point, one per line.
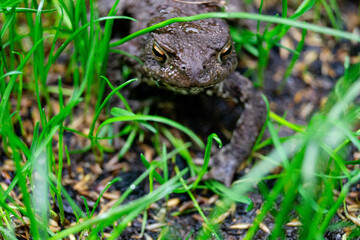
(33, 38)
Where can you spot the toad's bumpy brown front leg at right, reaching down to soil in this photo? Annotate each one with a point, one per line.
(225, 162)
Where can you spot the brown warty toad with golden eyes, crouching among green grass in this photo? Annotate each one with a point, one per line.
(190, 57)
